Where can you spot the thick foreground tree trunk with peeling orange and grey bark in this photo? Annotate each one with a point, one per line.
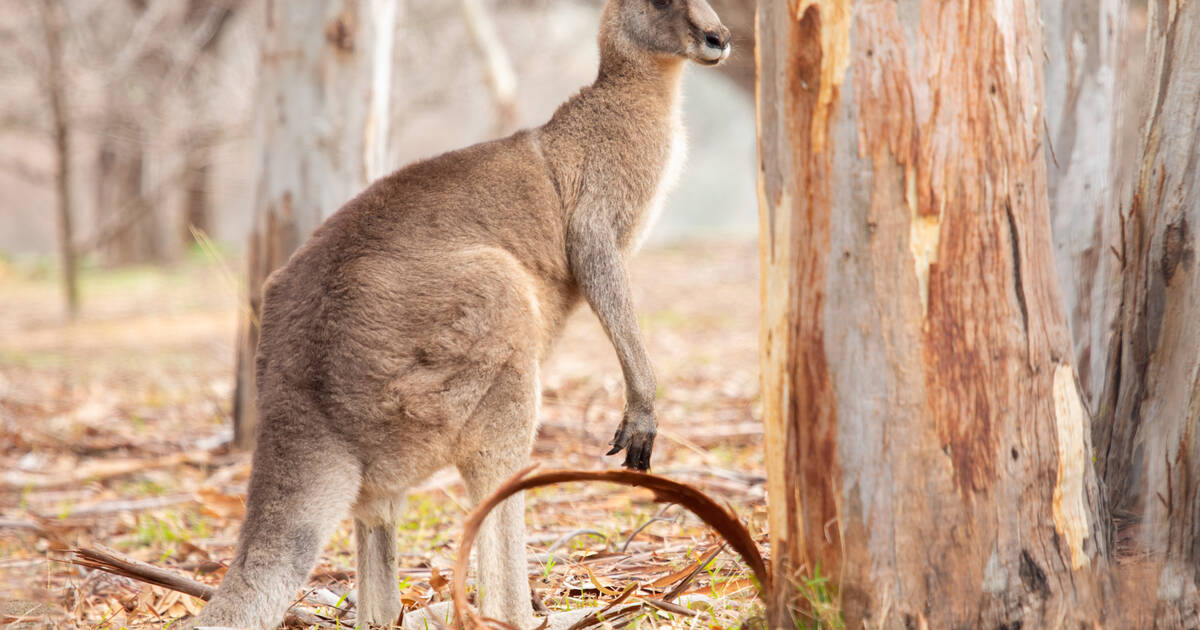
(928, 446)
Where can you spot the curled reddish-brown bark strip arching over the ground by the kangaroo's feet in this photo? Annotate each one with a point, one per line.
(665, 490)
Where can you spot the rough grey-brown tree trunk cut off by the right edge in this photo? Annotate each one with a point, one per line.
(1149, 430)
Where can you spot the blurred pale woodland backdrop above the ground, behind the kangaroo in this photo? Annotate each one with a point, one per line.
(160, 98)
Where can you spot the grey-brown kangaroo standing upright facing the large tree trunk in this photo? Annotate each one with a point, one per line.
(407, 333)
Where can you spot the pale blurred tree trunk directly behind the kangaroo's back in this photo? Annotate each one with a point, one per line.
(317, 131)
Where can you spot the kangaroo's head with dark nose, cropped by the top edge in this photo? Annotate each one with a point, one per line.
(687, 29)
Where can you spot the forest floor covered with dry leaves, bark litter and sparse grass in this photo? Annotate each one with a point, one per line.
(116, 430)
